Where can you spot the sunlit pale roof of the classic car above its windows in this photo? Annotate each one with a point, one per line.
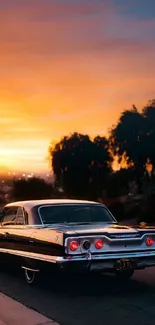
(32, 203)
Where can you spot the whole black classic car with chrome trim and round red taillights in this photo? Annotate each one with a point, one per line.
(71, 236)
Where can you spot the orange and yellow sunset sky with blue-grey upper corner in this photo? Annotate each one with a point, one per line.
(69, 65)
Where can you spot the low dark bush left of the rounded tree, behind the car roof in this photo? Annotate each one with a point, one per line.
(31, 189)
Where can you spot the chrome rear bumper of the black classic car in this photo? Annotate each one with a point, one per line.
(105, 262)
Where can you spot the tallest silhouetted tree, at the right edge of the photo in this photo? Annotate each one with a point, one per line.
(134, 137)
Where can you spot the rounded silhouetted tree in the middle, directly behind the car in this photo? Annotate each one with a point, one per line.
(80, 164)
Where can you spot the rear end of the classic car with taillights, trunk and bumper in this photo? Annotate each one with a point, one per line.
(112, 248)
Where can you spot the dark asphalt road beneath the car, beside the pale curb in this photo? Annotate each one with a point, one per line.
(103, 302)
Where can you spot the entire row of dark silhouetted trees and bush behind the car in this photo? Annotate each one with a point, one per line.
(83, 167)
